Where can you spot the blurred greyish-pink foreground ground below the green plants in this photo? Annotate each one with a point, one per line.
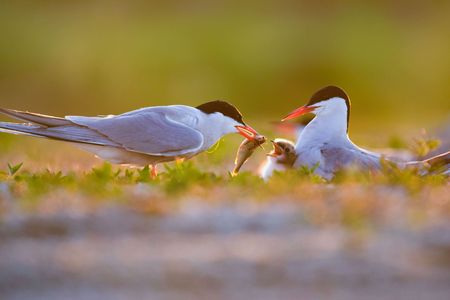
(231, 250)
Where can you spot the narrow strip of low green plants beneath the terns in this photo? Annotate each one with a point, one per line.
(179, 181)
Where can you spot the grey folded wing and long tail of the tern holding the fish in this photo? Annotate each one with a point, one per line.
(148, 131)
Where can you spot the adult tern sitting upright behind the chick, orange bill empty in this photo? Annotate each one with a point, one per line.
(325, 144)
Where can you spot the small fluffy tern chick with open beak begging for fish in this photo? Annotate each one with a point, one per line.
(281, 158)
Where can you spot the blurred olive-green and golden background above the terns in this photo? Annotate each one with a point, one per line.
(267, 57)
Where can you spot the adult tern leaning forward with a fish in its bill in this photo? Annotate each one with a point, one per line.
(146, 136)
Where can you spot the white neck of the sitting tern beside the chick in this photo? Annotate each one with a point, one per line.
(329, 126)
